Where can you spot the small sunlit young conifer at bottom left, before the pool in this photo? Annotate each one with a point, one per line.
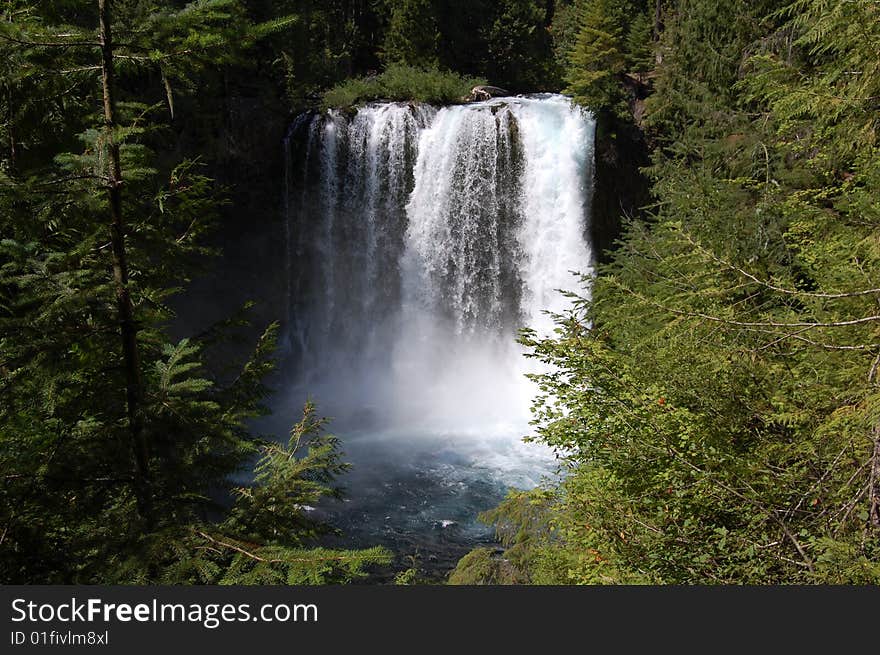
(268, 534)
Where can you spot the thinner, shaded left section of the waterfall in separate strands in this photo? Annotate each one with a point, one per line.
(350, 234)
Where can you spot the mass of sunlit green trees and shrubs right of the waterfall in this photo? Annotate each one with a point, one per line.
(716, 392)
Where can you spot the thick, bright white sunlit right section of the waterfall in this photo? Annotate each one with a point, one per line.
(496, 225)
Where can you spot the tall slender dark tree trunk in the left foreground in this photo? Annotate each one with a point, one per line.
(128, 328)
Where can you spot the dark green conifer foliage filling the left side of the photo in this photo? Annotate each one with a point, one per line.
(75, 477)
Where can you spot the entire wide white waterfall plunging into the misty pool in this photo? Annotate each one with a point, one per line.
(424, 238)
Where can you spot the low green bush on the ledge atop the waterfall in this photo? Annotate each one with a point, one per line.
(402, 83)
